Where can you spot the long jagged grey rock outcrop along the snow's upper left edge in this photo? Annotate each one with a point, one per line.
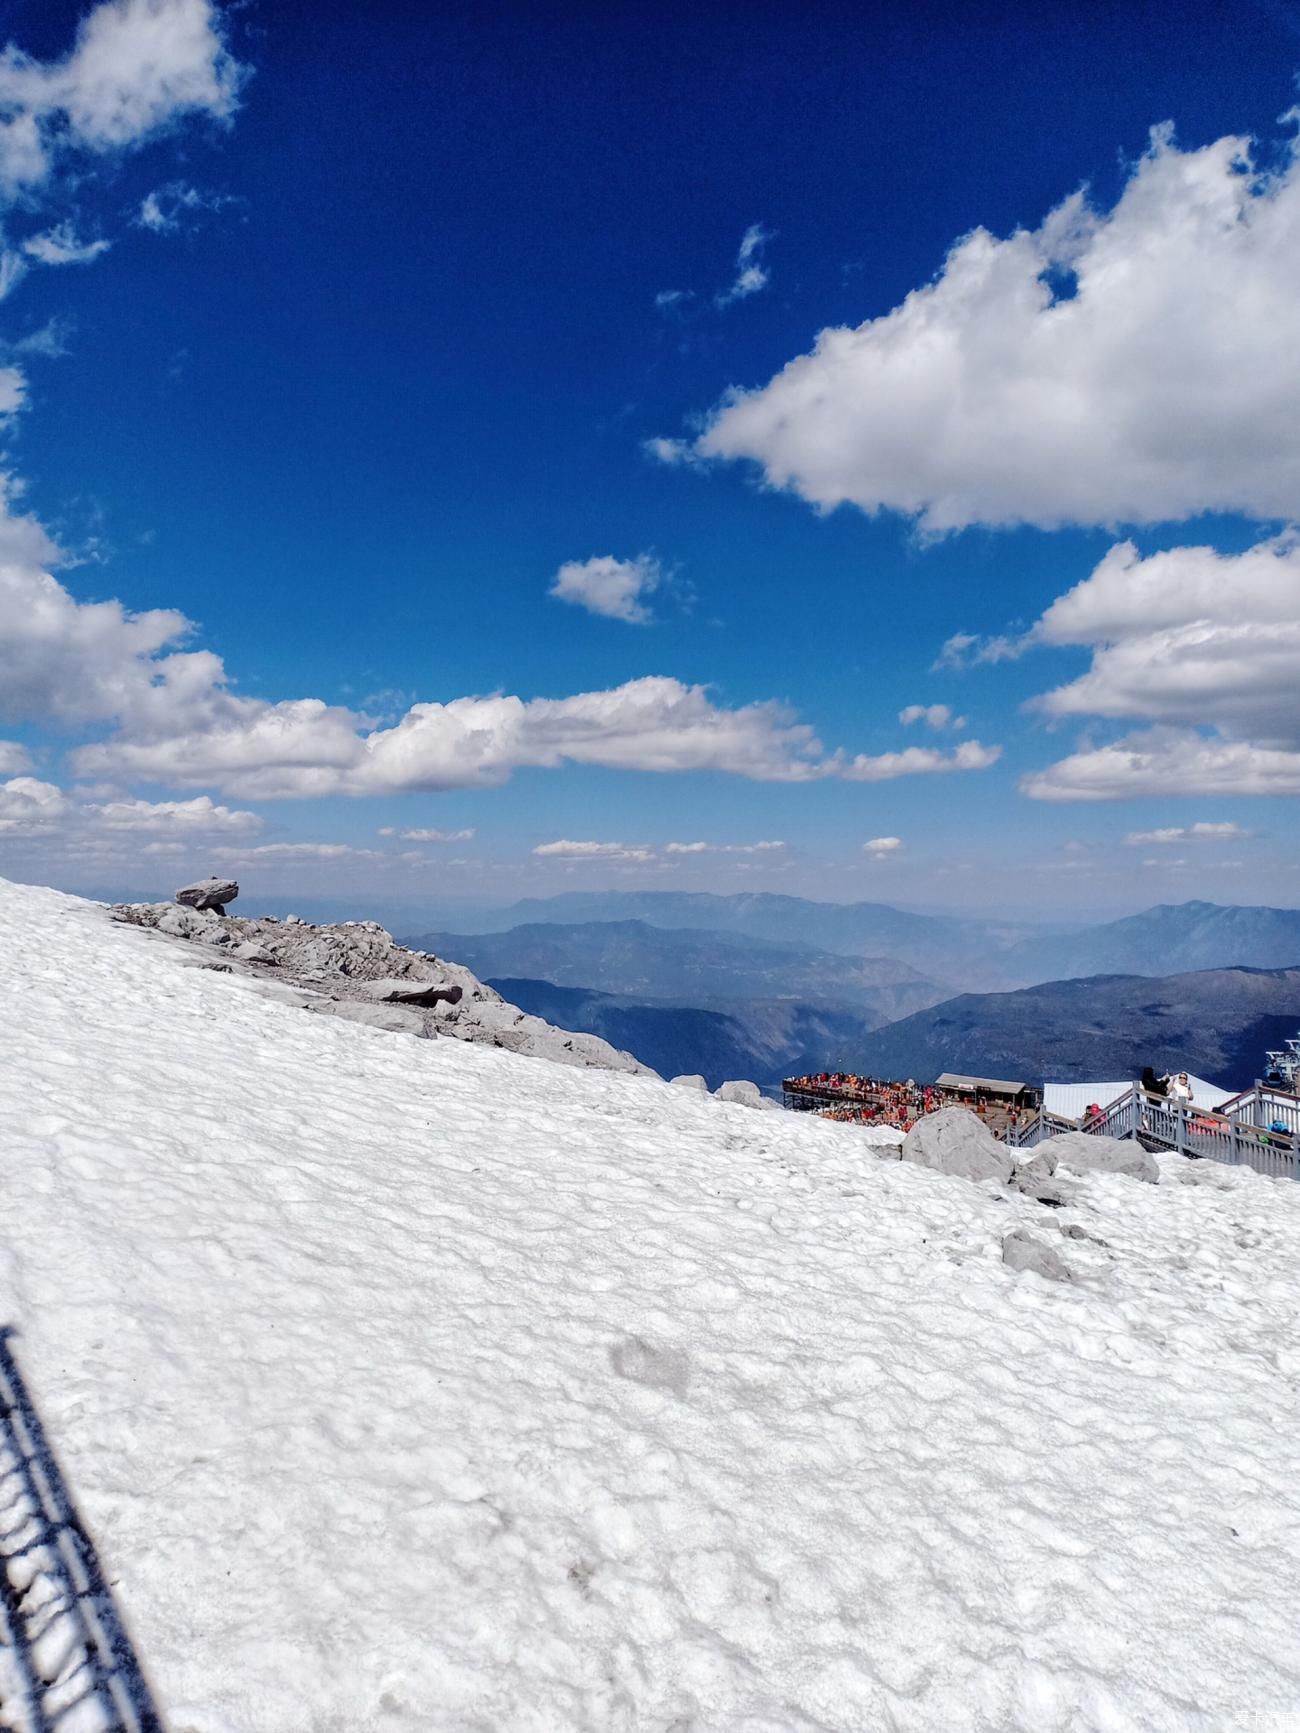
(360, 973)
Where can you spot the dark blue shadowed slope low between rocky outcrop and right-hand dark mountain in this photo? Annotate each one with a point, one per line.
(762, 1041)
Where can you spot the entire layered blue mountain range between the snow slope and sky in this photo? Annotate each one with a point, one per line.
(765, 985)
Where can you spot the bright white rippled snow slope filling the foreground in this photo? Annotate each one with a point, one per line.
(412, 1386)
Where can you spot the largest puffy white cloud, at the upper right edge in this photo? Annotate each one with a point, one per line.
(1129, 365)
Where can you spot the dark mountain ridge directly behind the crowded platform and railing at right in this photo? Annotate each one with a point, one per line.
(1216, 1023)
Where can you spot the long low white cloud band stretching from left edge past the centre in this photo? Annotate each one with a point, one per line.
(174, 718)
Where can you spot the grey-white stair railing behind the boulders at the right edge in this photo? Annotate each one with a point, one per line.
(1258, 1129)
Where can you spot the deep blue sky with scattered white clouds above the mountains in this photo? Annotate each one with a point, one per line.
(408, 311)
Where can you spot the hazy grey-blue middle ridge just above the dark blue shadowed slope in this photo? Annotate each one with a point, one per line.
(691, 968)
